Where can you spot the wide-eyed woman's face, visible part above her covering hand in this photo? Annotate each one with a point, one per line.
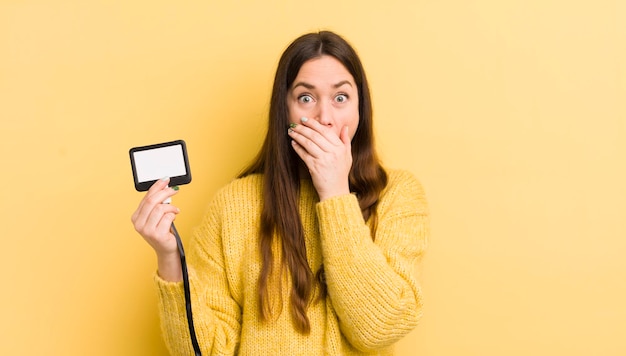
(325, 91)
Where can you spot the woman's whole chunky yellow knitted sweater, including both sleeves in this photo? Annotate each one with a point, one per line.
(373, 298)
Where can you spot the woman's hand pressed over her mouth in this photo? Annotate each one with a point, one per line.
(327, 156)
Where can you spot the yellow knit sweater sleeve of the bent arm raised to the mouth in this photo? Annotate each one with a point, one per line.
(370, 281)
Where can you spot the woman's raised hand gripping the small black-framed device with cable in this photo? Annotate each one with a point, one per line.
(153, 220)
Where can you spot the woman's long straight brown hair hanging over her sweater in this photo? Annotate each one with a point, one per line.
(279, 164)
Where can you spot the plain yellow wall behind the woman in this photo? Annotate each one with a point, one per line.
(511, 113)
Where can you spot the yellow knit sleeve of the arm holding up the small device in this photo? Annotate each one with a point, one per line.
(216, 315)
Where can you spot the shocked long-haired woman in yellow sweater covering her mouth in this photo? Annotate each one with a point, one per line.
(311, 250)
